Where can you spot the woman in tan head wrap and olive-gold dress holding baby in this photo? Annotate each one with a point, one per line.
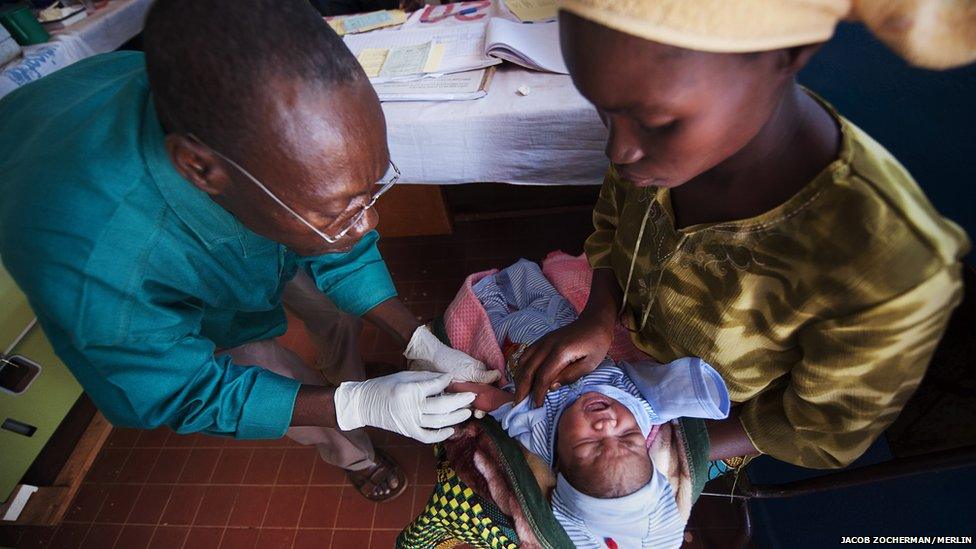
(746, 222)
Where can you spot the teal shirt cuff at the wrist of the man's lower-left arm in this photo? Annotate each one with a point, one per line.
(269, 406)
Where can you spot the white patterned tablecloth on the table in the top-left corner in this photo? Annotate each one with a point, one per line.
(102, 31)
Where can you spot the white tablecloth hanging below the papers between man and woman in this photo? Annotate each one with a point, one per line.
(550, 136)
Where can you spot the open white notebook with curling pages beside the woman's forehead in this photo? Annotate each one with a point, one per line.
(534, 47)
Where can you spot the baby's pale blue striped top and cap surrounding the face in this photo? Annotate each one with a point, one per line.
(649, 517)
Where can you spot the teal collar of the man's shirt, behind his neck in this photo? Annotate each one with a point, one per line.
(208, 221)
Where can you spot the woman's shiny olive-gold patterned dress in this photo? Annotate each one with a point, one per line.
(821, 314)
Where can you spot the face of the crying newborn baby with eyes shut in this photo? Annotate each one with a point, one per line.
(600, 447)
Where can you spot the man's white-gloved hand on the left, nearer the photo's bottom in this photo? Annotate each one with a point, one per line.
(408, 403)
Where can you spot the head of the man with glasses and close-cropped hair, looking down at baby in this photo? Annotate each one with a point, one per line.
(270, 85)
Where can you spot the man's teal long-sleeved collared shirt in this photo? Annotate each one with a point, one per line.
(135, 275)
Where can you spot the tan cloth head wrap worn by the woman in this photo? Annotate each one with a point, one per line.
(934, 34)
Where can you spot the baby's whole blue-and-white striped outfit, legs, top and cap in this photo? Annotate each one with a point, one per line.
(522, 307)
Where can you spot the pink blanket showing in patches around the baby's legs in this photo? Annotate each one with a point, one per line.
(470, 331)
